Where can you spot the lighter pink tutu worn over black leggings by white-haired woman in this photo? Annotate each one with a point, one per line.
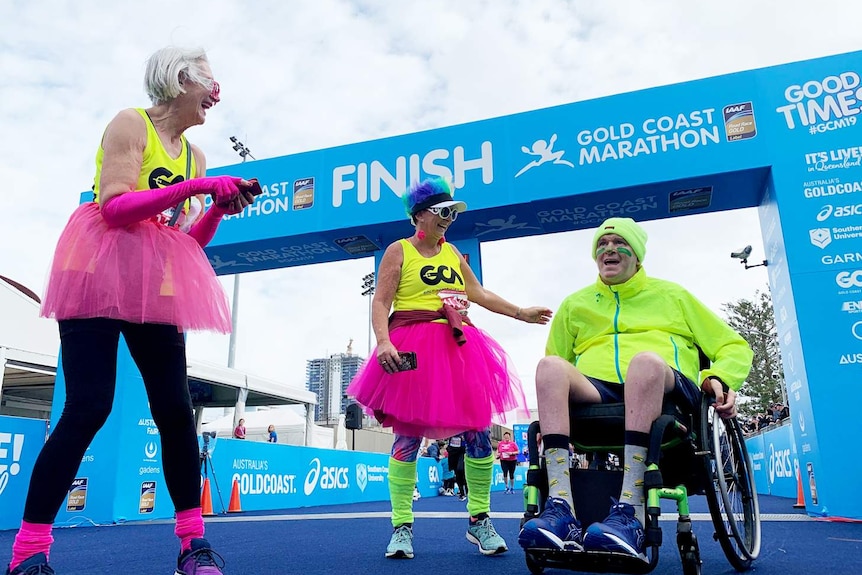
(142, 273)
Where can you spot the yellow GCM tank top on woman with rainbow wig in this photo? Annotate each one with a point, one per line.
(428, 283)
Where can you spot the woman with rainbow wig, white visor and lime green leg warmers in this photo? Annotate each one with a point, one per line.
(462, 378)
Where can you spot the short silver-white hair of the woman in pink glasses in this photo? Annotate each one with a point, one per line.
(167, 67)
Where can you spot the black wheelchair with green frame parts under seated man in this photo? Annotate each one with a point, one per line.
(689, 454)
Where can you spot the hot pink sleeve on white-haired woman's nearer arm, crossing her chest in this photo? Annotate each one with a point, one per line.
(130, 207)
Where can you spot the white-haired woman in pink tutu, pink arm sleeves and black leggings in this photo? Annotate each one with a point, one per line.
(131, 262)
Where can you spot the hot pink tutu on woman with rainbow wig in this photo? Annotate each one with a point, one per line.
(455, 388)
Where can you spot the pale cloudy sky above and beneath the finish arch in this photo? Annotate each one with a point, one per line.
(305, 75)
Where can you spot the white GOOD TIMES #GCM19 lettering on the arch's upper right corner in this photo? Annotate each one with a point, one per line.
(823, 105)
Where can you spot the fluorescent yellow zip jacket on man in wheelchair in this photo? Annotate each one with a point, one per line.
(600, 328)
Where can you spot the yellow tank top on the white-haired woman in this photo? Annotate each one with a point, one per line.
(158, 169)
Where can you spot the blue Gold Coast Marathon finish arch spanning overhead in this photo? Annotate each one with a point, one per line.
(786, 139)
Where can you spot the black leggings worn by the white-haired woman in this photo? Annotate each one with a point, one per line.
(89, 355)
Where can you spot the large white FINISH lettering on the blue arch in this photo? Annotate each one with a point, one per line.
(368, 179)
